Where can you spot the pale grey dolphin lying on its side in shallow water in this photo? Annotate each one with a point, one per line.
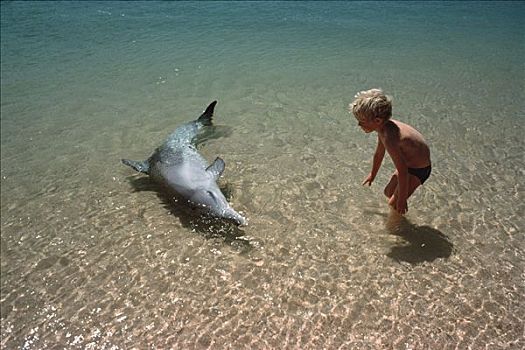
(177, 165)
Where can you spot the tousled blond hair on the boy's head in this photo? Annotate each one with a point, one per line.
(372, 104)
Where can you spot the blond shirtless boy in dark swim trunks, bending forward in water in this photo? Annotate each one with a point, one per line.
(405, 145)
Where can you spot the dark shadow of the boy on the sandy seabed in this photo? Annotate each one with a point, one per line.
(420, 243)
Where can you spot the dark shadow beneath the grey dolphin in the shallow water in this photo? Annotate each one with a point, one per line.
(194, 218)
